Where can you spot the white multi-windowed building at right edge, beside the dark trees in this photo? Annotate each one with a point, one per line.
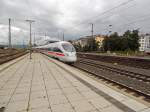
(144, 41)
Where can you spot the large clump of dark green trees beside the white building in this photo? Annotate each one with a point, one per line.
(129, 41)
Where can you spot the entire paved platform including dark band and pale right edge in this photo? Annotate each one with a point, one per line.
(46, 85)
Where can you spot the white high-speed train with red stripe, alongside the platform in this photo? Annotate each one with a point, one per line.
(62, 50)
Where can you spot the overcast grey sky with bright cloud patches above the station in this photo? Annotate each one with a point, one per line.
(73, 17)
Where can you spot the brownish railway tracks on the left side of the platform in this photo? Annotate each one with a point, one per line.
(6, 56)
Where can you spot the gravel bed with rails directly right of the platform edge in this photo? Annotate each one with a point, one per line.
(136, 82)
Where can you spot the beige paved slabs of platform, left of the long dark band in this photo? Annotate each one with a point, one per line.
(39, 85)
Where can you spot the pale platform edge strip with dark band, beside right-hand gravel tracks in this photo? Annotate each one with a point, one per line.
(120, 100)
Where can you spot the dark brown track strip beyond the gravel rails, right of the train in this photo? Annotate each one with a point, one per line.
(128, 61)
